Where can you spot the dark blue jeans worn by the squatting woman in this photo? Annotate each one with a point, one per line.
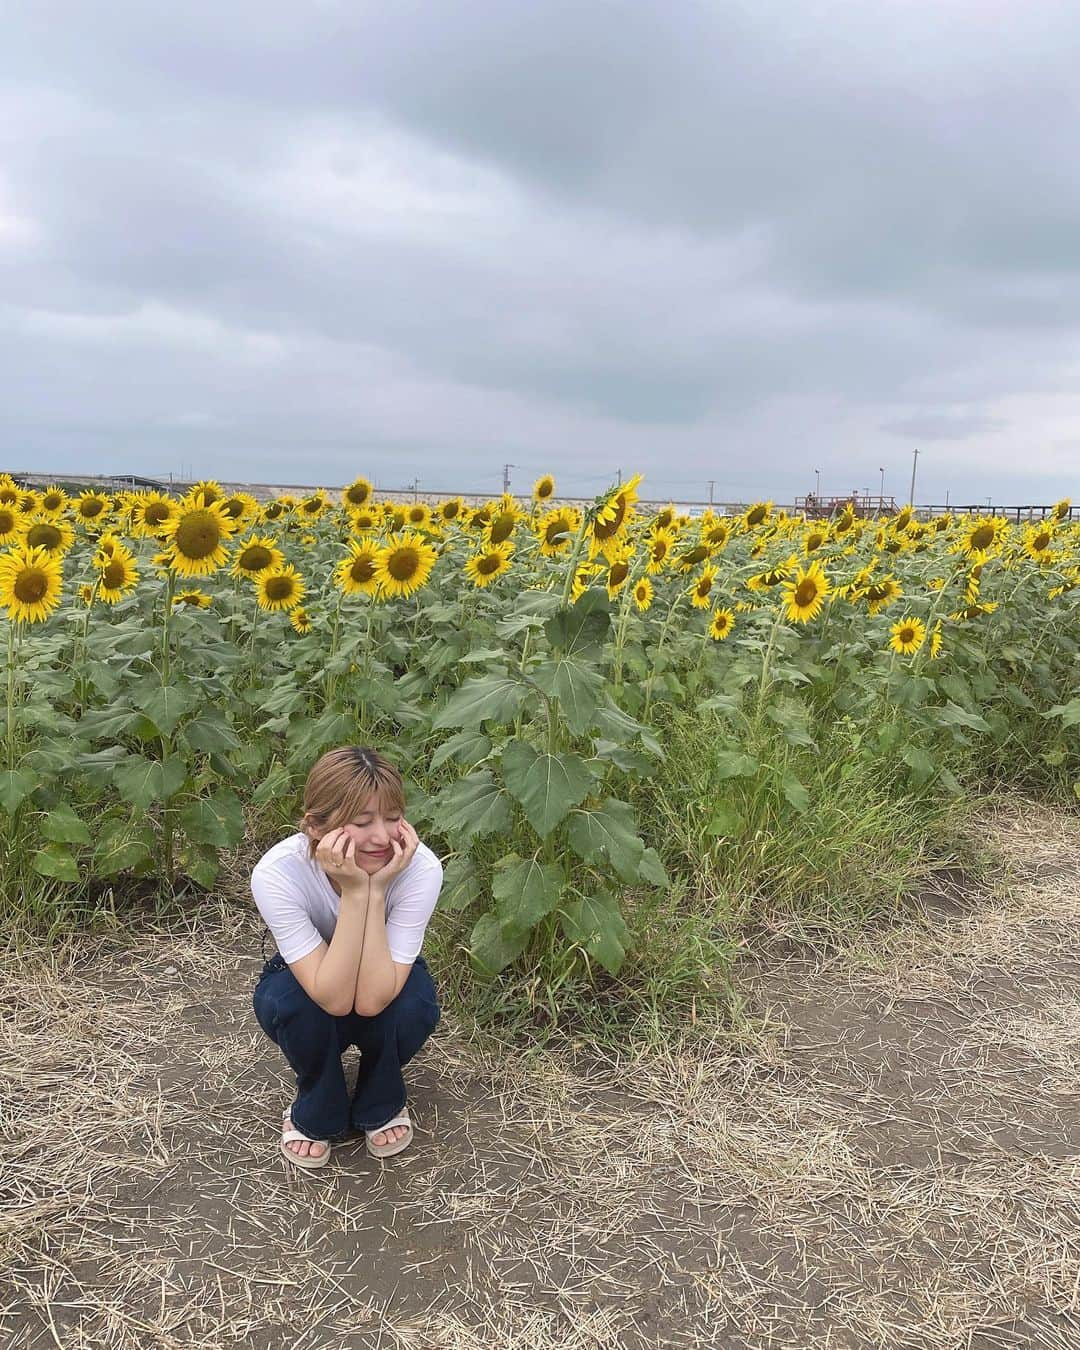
(314, 1042)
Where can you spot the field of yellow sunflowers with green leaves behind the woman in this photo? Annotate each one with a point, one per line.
(589, 705)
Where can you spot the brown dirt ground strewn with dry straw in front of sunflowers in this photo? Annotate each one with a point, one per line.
(885, 1152)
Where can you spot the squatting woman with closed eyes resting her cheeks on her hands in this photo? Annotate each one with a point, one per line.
(348, 900)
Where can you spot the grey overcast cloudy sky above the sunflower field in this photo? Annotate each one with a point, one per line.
(732, 242)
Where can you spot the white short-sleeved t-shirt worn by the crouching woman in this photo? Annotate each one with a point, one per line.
(300, 907)
